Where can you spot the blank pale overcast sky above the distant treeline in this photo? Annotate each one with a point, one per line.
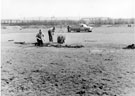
(13, 9)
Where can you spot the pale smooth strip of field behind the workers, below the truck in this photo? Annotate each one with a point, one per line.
(123, 35)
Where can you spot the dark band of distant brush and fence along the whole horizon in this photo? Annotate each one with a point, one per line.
(96, 21)
